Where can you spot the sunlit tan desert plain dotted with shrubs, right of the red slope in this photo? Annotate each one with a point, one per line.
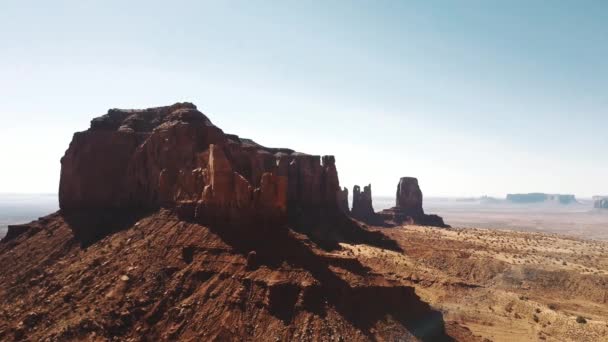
(502, 285)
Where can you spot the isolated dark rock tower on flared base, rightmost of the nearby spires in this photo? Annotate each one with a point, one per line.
(409, 206)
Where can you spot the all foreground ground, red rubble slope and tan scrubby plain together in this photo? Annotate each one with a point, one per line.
(159, 278)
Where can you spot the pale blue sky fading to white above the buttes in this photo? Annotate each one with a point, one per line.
(471, 97)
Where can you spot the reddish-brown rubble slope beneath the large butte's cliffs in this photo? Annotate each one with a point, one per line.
(160, 278)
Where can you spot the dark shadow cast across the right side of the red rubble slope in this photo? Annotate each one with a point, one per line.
(362, 304)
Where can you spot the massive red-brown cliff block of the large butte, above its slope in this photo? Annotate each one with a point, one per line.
(175, 157)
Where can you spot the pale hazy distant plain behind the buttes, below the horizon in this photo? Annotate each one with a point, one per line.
(578, 220)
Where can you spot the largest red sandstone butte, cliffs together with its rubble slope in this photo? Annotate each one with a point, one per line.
(170, 229)
